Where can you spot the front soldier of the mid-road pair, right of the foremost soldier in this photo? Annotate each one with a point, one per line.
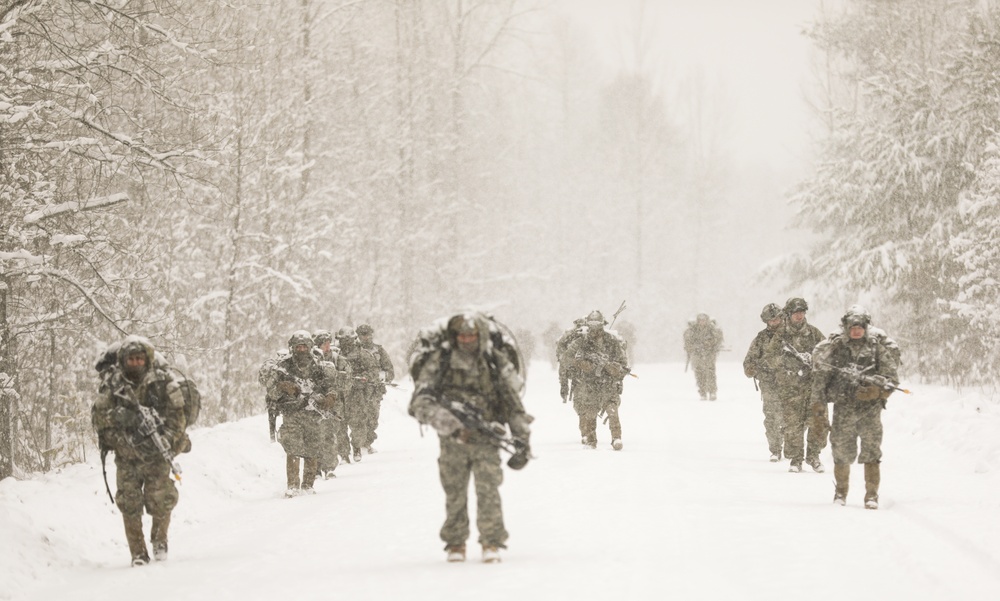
(599, 366)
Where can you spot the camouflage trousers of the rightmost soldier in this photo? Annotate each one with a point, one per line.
(852, 421)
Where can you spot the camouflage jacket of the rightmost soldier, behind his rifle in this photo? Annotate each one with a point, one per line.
(870, 355)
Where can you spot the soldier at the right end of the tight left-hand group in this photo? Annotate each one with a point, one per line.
(364, 372)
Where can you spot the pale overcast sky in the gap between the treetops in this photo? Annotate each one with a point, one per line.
(751, 53)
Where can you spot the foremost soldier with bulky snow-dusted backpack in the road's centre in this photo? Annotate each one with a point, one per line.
(467, 367)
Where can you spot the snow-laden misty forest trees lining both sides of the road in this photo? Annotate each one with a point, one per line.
(216, 175)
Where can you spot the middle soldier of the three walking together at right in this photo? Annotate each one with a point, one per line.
(788, 355)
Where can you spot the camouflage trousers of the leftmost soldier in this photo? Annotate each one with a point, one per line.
(144, 484)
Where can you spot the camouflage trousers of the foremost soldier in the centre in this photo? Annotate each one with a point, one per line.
(456, 463)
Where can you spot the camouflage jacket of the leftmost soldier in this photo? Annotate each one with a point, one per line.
(116, 415)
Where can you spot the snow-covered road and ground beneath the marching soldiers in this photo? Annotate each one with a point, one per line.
(690, 509)
